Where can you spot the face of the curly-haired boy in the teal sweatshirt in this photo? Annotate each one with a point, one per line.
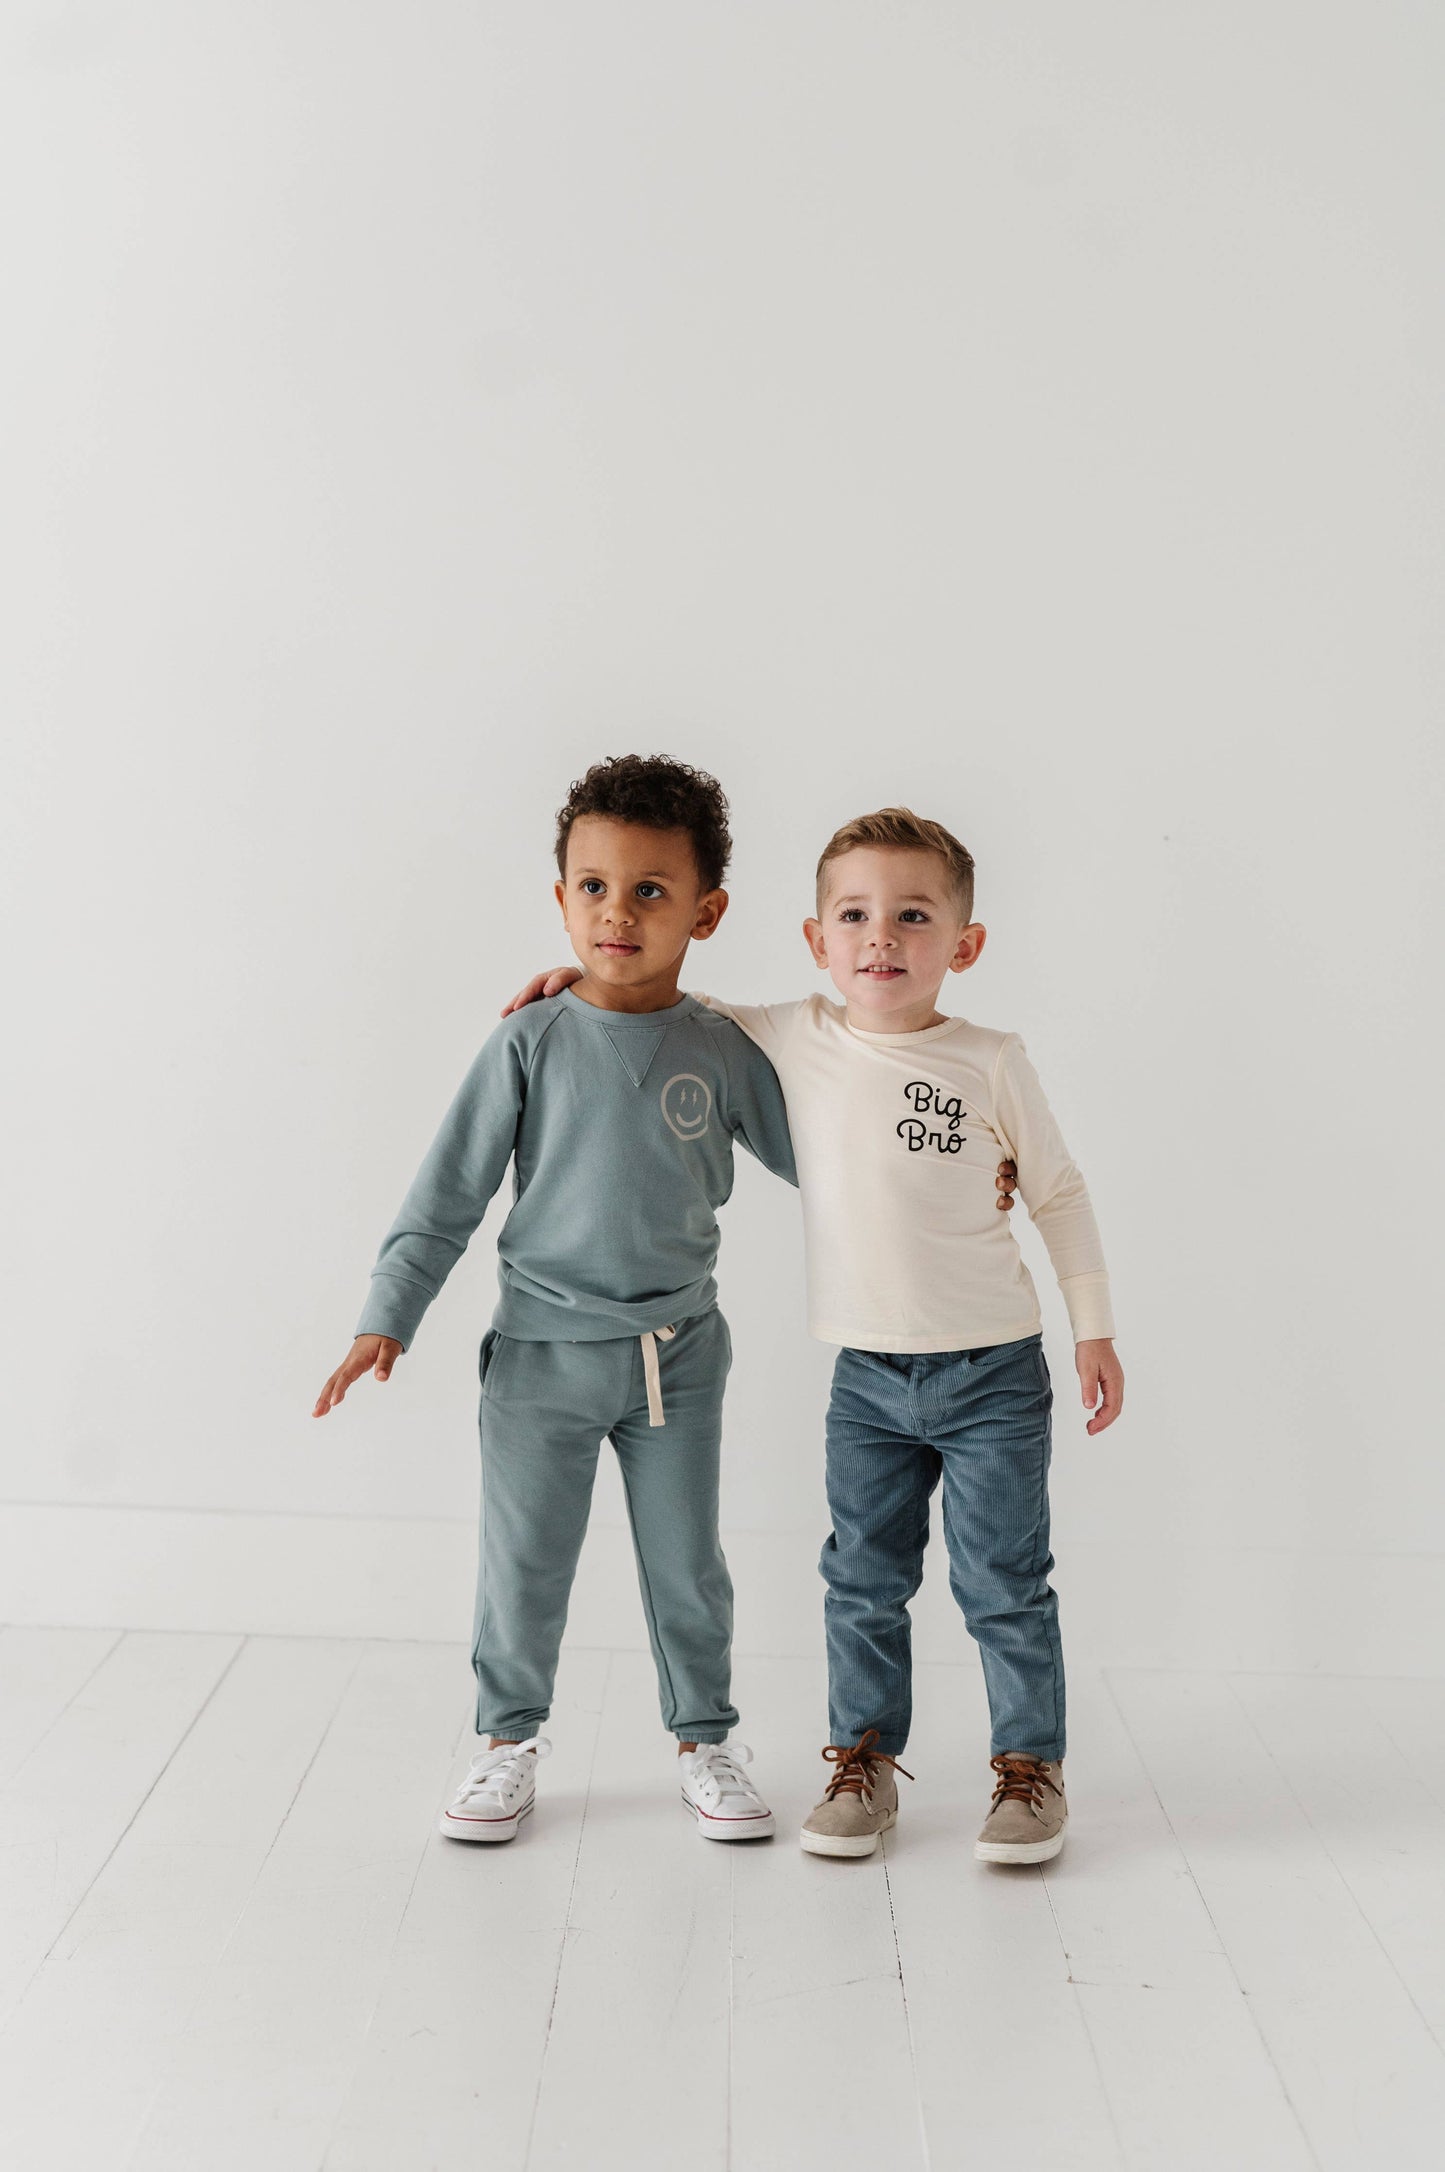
(633, 902)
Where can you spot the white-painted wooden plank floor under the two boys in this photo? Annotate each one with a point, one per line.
(234, 1939)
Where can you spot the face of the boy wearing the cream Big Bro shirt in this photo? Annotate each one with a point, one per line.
(890, 931)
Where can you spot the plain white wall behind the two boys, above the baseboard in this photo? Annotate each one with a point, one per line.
(1020, 412)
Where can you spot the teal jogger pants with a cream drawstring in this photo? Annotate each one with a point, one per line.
(546, 1411)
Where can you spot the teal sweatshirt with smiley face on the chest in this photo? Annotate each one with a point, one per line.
(623, 1135)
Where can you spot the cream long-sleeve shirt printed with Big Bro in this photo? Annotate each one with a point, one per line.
(899, 1139)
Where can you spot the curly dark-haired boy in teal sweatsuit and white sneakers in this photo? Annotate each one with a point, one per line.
(618, 1109)
